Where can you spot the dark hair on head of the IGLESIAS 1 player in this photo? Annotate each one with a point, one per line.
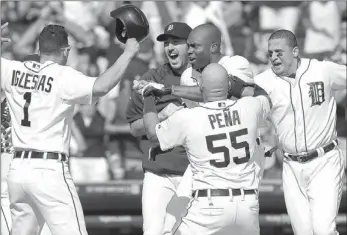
(52, 39)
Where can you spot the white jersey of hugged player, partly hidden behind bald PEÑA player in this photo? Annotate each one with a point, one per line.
(235, 65)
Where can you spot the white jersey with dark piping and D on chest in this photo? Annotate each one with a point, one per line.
(304, 108)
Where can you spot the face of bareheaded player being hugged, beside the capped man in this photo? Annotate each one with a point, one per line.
(198, 51)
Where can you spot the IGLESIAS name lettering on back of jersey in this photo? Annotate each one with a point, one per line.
(31, 81)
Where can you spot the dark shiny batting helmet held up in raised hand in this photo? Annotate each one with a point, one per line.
(131, 22)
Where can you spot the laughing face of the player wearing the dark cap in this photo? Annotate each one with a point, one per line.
(176, 51)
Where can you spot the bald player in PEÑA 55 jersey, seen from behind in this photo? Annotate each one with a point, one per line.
(220, 137)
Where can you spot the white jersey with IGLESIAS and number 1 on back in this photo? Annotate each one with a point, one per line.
(42, 98)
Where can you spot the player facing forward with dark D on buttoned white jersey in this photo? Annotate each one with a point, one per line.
(304, 117)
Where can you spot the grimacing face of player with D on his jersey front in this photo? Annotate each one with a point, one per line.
(282, 57)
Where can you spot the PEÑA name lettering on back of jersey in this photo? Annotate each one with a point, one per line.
(226, 119)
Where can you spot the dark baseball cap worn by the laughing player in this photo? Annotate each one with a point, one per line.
(175, 29)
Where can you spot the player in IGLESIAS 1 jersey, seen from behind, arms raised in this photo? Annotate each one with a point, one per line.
(41, 98)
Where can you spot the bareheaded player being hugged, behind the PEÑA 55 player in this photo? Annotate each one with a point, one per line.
(204, 48)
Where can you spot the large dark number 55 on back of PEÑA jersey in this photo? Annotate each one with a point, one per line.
(225, 150)
